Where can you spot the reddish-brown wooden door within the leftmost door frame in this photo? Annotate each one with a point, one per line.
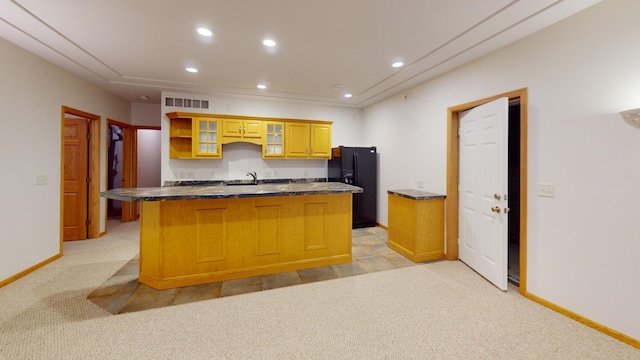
(76, 170)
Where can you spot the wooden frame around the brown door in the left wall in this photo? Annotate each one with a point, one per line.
(93, 192)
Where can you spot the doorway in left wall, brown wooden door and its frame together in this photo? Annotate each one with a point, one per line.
(79, 176)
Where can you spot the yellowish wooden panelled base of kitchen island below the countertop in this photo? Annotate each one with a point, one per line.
(213, 240)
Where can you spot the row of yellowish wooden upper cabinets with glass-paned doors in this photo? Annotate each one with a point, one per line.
(201, 136)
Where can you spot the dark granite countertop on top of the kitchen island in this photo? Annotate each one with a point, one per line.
(227, 191)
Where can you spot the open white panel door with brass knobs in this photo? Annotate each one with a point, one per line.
(483, 190)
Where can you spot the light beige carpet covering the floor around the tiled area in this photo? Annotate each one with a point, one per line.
(440, 310)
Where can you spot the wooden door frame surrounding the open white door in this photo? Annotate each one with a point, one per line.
(453, 176)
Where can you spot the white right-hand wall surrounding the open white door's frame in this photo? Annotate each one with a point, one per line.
(583, 245)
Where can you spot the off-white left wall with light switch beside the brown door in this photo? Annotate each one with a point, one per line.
(32, 92)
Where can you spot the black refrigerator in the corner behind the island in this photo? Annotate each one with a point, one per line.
(357, 166)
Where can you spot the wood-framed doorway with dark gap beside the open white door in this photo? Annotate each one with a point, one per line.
(518, 174)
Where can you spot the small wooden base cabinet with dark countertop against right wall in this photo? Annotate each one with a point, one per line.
(416, 224)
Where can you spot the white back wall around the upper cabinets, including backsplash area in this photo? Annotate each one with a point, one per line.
(239, 158)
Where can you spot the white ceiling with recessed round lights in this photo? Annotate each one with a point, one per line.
(141, 47)
